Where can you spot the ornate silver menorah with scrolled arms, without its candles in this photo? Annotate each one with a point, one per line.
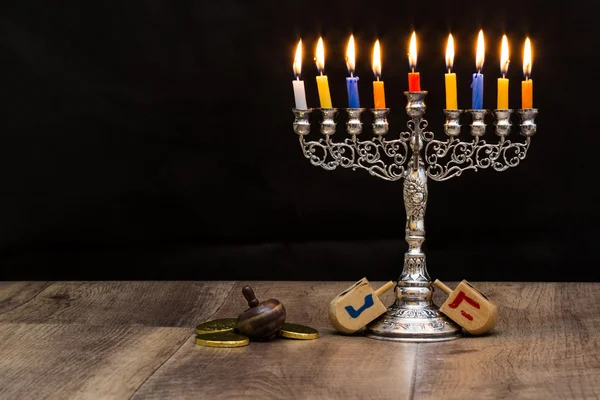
(413, 316)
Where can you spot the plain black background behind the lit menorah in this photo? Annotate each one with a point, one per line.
(153, 140)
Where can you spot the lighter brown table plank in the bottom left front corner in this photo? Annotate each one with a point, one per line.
(64, 361)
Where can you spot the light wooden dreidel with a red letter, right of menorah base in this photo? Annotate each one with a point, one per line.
(469, 308)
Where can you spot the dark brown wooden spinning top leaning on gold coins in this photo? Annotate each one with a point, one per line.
(262, 321)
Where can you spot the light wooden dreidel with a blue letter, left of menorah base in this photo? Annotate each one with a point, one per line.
(356, 306)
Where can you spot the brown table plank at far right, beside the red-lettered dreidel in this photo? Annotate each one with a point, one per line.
(546, 346)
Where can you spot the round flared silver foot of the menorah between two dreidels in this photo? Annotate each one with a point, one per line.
(413, 323)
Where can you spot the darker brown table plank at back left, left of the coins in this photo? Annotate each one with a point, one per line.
(123, 303)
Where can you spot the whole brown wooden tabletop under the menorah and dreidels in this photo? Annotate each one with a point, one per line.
(136, 339)
